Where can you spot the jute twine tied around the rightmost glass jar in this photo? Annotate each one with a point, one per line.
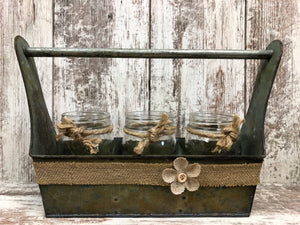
(228, 135)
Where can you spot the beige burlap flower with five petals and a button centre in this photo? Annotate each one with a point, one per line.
(184, 176)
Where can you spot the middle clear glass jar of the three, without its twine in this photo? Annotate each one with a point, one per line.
(140, 123)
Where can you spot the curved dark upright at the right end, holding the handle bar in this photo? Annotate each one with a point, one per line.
(251, 139)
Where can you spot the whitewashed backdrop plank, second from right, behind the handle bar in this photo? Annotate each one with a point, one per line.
(181, 86)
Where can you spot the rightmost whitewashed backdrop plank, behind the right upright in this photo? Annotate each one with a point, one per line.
(267, 21)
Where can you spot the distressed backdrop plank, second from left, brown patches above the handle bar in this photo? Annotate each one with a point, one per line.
(113, 85)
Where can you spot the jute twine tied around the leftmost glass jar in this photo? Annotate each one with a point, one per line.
(68, 128)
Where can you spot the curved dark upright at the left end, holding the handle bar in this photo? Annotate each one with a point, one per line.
(43, 136)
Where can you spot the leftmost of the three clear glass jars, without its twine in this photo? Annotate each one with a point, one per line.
(90, 121)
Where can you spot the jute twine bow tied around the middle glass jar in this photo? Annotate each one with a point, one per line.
(162, 128)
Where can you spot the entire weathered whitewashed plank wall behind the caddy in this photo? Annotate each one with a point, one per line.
(178, 86)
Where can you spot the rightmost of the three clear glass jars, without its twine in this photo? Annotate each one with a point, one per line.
(205, 123)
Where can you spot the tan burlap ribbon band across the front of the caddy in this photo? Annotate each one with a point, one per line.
(95, 173)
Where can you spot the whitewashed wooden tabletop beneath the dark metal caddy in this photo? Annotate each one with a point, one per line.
(272, 205)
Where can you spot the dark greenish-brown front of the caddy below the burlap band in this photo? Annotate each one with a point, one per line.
(138, 200)
